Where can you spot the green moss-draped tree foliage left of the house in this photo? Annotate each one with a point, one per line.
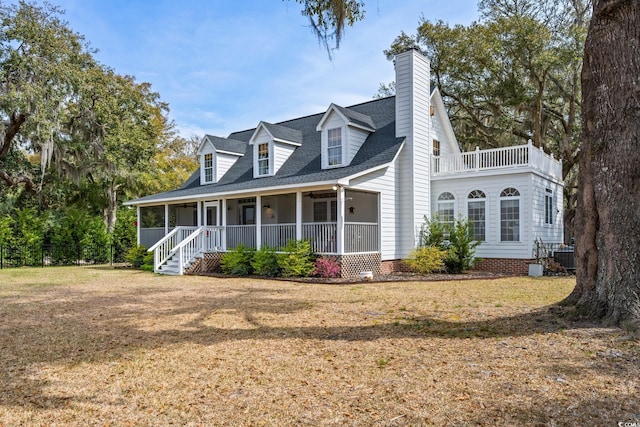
(61, 111)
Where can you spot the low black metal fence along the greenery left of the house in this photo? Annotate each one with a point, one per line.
(46, 255)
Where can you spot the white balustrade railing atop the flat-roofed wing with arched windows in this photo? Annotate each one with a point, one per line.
(519, 156)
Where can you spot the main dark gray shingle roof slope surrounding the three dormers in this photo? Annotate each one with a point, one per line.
(304, 164)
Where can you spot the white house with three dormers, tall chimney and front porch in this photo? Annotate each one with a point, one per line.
(357, 182)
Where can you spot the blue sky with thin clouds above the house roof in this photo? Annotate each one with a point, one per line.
(224, 65)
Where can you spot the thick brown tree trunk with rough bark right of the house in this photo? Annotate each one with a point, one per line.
(608, 214)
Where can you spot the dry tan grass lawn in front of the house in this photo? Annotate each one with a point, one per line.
(98, 346)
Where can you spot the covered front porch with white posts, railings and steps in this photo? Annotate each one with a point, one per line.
(335, 220)
